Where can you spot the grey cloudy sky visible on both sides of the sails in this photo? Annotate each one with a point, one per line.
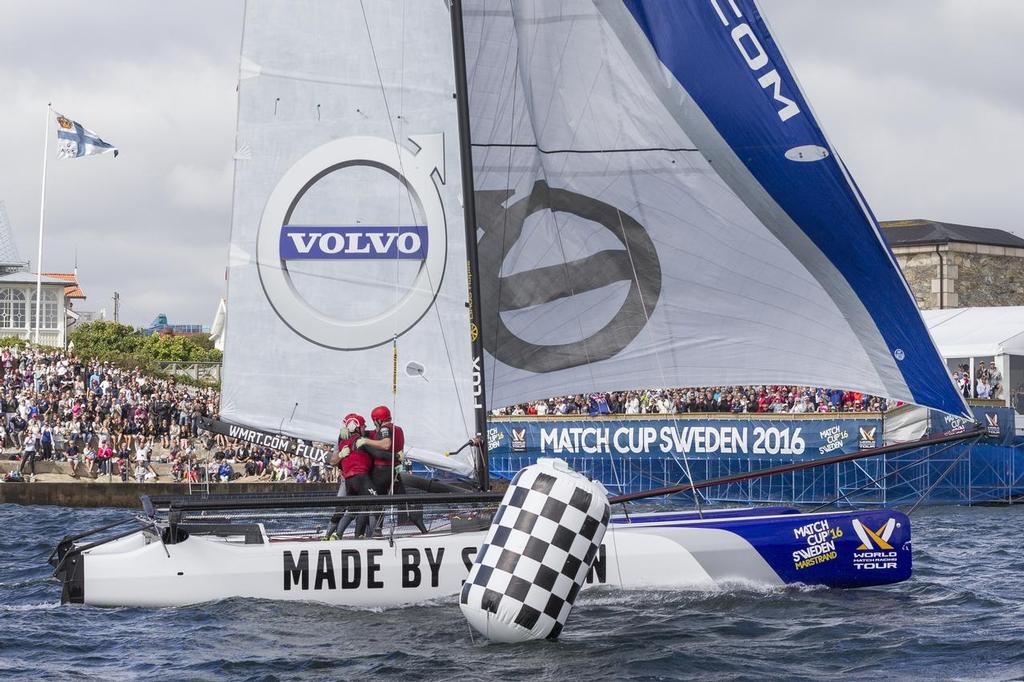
(924, 100)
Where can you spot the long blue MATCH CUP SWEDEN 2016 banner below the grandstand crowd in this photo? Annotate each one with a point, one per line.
(739, 438)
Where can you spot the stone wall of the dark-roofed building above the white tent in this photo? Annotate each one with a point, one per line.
(973, 275)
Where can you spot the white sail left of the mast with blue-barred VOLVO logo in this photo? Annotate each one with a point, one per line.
(348, 266)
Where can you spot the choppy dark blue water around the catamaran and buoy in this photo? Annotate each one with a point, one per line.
(962, 617)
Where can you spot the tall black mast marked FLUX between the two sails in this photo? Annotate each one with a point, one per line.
(470, 208)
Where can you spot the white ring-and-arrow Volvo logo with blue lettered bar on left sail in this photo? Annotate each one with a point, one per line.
(280, 242)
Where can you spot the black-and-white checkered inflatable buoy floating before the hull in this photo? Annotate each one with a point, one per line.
(541, 546)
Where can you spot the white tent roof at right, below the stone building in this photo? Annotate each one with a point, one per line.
(977, 332)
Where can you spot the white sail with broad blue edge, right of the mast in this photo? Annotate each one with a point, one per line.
(659, 207)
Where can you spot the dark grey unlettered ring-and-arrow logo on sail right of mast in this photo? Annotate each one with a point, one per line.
(637, 264)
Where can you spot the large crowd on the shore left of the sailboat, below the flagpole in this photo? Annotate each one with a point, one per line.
(107, 421)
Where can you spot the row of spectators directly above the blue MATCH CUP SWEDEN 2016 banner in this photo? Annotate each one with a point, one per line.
(736, 400)
